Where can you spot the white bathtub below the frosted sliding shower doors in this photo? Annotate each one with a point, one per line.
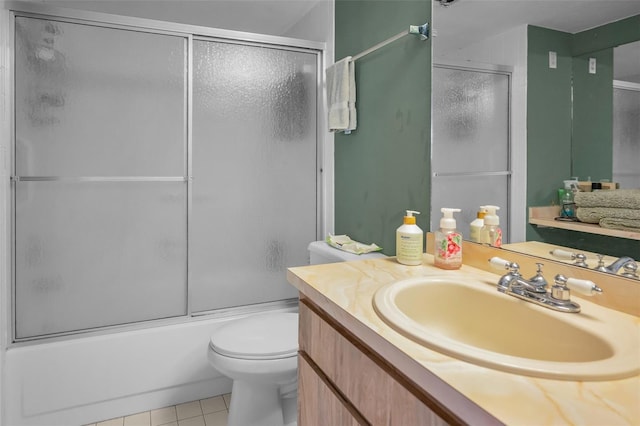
(82, 380)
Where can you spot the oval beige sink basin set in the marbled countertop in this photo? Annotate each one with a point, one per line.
(469, 319)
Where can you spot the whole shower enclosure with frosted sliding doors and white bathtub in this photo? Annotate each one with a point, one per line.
(158, 179)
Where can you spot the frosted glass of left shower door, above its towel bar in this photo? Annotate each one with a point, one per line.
(93, 101)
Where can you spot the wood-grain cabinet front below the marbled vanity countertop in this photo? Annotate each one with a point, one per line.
(343, 382)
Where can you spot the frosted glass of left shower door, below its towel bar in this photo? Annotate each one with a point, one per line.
(91, 254)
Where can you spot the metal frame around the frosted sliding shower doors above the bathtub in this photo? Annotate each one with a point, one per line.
(190, 32)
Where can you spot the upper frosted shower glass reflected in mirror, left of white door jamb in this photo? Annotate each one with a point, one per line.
(470, 121)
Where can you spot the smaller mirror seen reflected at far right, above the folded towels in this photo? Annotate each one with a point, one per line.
(605, 116)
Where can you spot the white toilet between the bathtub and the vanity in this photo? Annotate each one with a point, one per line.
(260, 354)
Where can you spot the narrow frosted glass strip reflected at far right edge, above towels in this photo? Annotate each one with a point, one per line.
(626, 137)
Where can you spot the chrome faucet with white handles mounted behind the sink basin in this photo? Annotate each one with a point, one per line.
(535, 289)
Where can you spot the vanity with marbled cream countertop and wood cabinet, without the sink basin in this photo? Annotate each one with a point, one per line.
(356, 368)
